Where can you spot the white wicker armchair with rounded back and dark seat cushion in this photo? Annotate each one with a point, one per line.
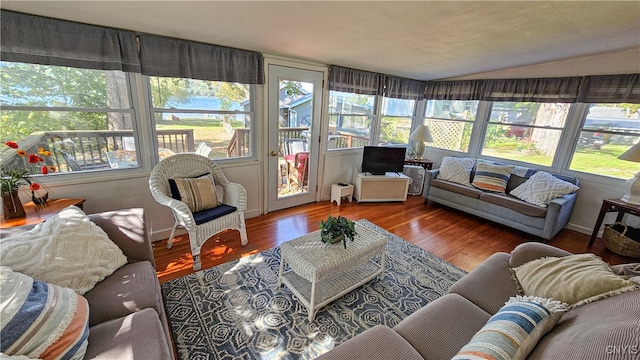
(192, 165)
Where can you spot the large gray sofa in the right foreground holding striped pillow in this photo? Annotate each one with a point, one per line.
(603, 329)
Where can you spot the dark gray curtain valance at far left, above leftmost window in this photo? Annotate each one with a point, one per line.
(40, 40)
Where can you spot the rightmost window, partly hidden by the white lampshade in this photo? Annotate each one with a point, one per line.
(607, 132)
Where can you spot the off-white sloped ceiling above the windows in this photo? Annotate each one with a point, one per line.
(424, 40)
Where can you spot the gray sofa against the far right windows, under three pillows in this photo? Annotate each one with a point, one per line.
(503, 209)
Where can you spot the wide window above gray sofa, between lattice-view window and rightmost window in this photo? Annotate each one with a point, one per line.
(525, 131)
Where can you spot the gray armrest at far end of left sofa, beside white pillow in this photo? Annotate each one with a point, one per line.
(127, 229)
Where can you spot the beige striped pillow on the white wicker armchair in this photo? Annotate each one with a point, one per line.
(199, 193)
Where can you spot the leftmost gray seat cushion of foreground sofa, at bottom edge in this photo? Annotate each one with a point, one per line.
(378, 342)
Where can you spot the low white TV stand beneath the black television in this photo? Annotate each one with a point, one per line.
(388, 187)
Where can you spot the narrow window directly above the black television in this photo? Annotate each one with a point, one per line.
(397, 117)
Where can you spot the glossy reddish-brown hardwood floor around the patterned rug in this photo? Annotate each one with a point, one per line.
(461, 239)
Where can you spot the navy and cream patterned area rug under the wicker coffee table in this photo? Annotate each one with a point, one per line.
(234, 311)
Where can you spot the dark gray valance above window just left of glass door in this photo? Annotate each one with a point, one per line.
(161, 56)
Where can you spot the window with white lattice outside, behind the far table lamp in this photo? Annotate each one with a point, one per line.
(450, 123)
